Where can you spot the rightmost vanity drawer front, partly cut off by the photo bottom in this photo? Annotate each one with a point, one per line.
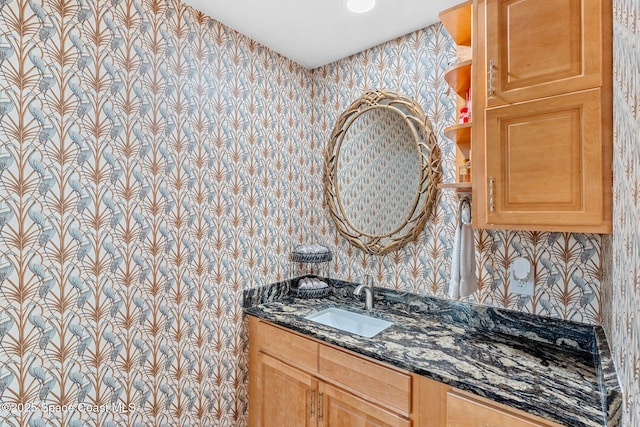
(463, 411)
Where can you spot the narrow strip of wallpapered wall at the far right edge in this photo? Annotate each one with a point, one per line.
(623, 324)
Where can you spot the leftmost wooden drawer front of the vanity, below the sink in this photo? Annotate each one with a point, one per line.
(285, 345)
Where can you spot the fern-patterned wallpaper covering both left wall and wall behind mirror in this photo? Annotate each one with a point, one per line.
(153, 164)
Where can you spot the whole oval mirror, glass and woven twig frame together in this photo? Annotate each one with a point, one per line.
(381, 171)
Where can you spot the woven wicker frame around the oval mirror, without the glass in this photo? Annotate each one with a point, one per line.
(426, 191)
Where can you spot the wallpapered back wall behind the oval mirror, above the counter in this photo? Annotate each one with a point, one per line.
(568, 267)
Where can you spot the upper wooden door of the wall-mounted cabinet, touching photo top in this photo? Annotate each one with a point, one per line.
(542, 47)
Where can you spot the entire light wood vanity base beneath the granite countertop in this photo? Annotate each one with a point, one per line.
(298, 381)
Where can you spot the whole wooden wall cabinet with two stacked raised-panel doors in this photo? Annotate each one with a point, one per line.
(542, 115)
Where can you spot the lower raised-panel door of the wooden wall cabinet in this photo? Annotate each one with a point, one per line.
(544, 163)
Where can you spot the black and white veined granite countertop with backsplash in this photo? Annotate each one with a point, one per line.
(559, 370)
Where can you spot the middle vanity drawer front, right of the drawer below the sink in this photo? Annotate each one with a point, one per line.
(375, 382)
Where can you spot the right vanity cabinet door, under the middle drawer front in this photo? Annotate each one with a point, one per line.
(341, 409)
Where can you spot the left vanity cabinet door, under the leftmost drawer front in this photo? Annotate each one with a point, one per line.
(282, 395)
